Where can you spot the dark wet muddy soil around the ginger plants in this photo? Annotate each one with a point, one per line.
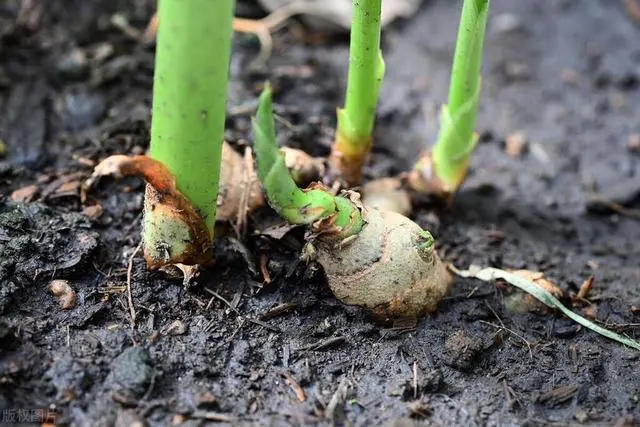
(233, 349)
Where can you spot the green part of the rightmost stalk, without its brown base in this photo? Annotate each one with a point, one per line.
(456, 140)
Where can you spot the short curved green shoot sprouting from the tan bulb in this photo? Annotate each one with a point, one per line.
(290, 202)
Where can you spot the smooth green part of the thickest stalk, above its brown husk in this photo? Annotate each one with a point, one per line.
(190, 94)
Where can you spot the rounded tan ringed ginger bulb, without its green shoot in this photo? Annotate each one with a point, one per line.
(384, 269)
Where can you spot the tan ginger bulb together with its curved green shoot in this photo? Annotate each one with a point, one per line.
(380, 260)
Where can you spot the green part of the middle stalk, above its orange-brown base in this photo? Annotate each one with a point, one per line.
(366, 71)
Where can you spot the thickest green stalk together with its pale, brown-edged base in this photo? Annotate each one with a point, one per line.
(189, 101)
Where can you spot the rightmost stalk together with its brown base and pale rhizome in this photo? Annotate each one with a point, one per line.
(441, 171)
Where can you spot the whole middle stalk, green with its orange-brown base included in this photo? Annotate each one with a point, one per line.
(366, 71)
